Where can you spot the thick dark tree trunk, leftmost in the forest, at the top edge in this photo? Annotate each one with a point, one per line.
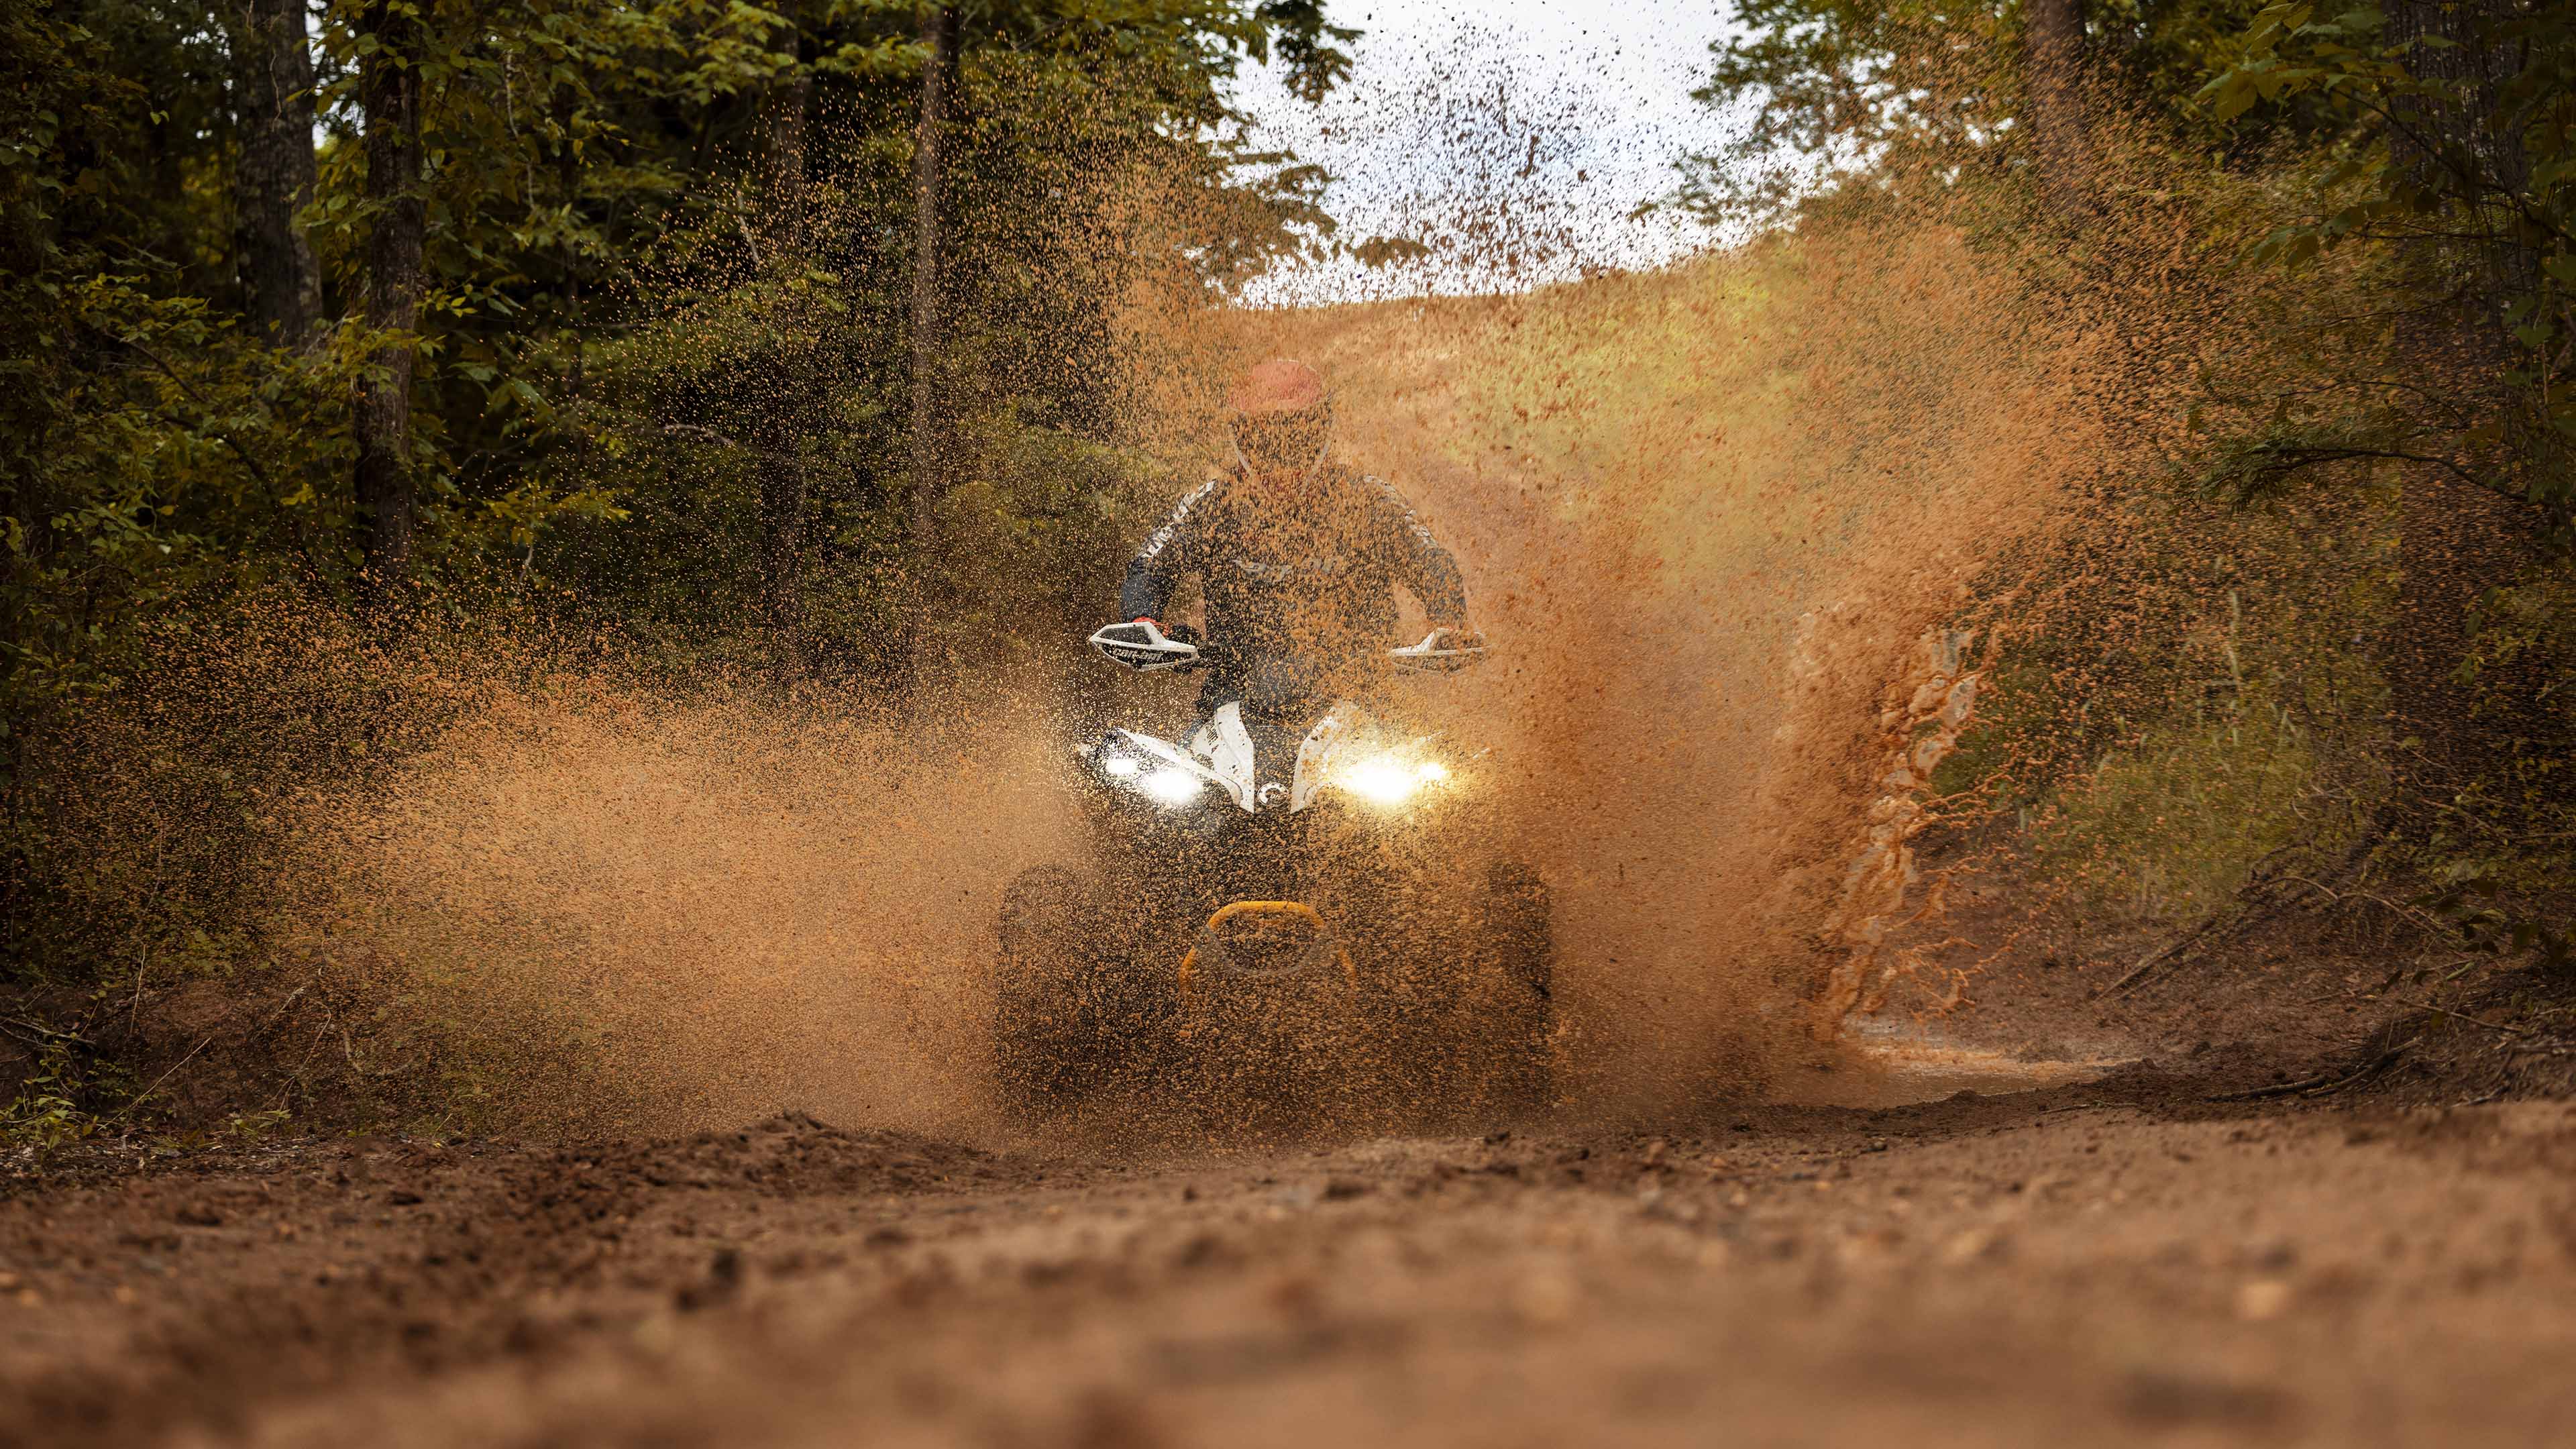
(274, 117)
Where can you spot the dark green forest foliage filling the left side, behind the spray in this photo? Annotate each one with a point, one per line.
(668, 257)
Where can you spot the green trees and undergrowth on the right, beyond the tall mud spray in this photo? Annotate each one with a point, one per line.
(2371, 223)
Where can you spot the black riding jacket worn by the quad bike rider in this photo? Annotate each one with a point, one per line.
(1307, 576)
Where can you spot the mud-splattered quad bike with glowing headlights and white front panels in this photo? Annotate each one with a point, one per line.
(1292, 919)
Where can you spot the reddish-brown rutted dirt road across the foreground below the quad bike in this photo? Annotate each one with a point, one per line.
(2114, 1262)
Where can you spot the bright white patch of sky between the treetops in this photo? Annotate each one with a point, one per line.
(1513, 138)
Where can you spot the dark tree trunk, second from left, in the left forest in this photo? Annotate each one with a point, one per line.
(383, 419)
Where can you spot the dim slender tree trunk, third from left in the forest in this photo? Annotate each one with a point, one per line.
(782, 463)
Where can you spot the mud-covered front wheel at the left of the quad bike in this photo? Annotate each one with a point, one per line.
(1042, 1053)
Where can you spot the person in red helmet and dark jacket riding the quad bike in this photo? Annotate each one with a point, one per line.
(1297, 550)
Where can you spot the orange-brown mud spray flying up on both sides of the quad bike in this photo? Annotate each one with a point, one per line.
(1717, 522)
